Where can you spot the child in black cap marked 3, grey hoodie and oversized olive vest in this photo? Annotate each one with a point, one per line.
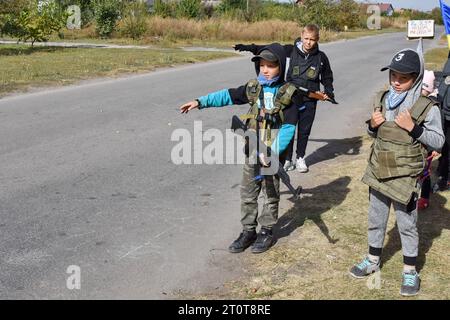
(405, 126)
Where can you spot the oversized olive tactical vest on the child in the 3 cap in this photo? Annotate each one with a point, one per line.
(396, 159)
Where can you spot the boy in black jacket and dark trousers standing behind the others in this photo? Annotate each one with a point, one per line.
(308, 68)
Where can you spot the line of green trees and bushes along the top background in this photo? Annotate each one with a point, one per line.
(36, 20)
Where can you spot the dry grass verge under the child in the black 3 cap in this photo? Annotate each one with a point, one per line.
(322, 235)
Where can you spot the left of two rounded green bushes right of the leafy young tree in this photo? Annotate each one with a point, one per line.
(106, 13)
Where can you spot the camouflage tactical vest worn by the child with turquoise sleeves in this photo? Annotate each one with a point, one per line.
(267, 119)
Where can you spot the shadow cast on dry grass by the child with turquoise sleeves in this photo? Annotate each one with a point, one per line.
(314, 203)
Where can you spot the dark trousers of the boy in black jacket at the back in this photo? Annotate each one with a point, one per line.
(306, 115)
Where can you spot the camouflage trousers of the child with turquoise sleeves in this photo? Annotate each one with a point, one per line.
(250, 189)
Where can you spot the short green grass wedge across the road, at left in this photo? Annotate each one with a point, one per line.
(22, 66)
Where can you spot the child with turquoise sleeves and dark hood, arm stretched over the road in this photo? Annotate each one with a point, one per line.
(270, 65)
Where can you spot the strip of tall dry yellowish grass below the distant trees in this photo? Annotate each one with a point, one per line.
(214, 33)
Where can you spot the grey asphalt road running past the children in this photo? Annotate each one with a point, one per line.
(87, 179)
